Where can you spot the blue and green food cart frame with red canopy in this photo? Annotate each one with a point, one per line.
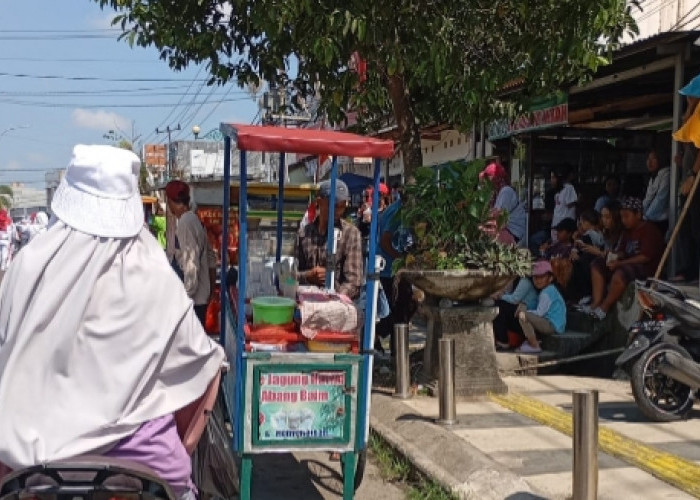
(352, 373)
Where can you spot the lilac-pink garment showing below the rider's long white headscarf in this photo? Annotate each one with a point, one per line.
(157, 445)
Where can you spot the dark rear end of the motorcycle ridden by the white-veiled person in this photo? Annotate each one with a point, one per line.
(85, 478)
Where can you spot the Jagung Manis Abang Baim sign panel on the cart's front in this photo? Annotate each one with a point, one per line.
(302, 406)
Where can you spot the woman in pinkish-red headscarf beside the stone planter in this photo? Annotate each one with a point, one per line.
(505, 199)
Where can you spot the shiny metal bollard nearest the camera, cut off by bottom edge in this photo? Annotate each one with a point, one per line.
(585, 442)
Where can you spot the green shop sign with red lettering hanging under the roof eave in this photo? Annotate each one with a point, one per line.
(543, 114)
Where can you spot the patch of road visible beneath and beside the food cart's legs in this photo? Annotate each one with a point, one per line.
(312, 476)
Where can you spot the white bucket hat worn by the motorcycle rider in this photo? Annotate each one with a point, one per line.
(99, 194)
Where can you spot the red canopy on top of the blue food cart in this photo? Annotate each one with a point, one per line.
(306, 141)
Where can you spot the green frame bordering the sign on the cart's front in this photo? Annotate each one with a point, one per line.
(298, 368)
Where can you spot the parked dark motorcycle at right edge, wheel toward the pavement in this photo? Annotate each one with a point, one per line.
(662, 357)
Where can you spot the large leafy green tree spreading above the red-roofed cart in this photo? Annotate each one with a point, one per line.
(427, 61)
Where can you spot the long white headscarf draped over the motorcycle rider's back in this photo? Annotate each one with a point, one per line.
(97, 336)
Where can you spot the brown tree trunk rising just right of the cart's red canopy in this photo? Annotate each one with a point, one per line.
(408, 129)
